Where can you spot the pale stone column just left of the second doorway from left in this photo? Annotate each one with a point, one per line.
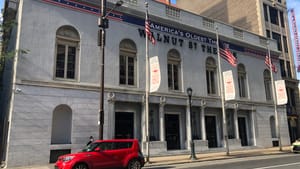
(162, 104)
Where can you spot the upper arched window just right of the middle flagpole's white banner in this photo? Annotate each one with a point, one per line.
(242, 80)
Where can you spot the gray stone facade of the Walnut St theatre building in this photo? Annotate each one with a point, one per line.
(40, 94)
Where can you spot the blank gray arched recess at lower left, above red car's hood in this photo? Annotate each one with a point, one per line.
(61, 125)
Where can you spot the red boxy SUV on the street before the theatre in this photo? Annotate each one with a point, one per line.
(119, 153)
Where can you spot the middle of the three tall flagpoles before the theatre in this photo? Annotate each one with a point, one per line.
(225, 136)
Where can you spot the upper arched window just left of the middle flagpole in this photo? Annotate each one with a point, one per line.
(211, 69)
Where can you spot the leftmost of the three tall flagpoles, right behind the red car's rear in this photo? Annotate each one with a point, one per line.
(147, 93)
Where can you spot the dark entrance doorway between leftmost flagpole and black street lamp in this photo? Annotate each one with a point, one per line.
(172, 131)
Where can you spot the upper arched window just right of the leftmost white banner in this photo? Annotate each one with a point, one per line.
(174, 70)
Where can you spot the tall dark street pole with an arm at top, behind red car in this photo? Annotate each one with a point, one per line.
(103, 24)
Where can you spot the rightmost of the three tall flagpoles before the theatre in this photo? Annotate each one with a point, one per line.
(277, 124)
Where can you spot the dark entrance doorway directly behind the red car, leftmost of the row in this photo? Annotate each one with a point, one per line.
(124, 125)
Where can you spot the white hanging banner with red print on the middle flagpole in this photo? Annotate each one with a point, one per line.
(229, 89)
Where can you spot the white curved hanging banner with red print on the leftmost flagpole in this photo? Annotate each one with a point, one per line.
(155, 77)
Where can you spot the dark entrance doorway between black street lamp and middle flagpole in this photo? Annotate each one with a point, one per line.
(211, 131)
